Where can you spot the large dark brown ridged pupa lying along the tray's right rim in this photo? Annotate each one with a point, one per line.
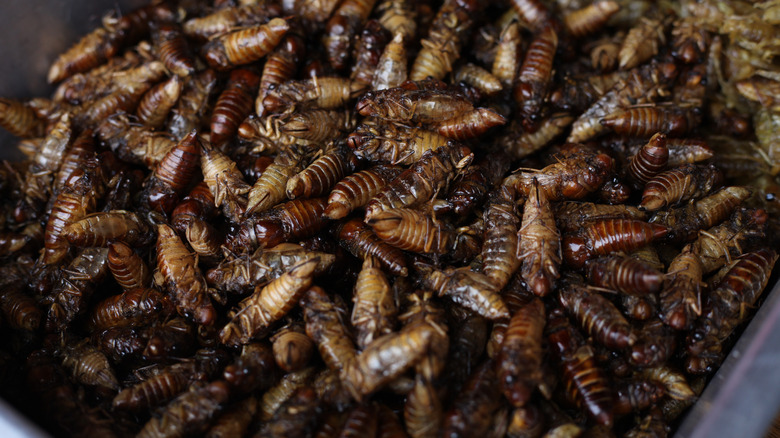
(739, 289)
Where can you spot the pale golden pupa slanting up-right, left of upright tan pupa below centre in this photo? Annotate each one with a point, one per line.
(268, 304)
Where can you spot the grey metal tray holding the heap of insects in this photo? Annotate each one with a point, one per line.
(741, 400)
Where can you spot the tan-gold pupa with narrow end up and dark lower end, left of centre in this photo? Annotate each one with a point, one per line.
(182, 277)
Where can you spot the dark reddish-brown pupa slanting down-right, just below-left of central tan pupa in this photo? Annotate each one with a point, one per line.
(359, 240)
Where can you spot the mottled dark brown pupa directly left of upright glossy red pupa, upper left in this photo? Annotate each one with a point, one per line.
(192, 107)
